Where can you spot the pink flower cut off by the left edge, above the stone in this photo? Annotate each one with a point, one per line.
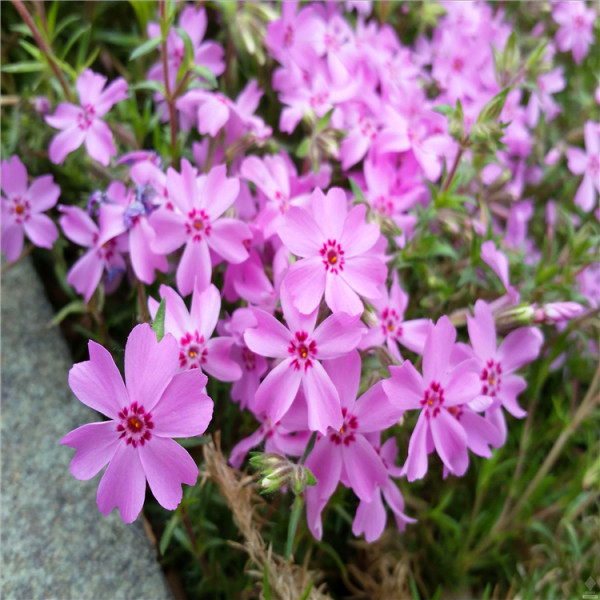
(22, 206)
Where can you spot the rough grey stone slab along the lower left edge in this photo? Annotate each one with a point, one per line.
(55, 543)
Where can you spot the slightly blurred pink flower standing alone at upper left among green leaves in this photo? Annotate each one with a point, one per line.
(83, 124)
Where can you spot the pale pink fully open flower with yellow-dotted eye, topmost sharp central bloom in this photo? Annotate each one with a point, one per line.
(334, 246)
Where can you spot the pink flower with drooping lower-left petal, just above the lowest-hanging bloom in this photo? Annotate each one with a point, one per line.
(344, 453)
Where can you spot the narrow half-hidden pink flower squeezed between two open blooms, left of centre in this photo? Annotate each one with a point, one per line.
(252, 365)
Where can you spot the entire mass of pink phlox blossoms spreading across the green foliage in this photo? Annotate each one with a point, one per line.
(288, 279)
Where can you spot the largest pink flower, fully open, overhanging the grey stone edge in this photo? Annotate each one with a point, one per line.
(157, 404)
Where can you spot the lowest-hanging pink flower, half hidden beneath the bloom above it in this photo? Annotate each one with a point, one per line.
(371, 516)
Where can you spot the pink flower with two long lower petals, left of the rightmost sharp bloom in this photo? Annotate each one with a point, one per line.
(436, 393)
